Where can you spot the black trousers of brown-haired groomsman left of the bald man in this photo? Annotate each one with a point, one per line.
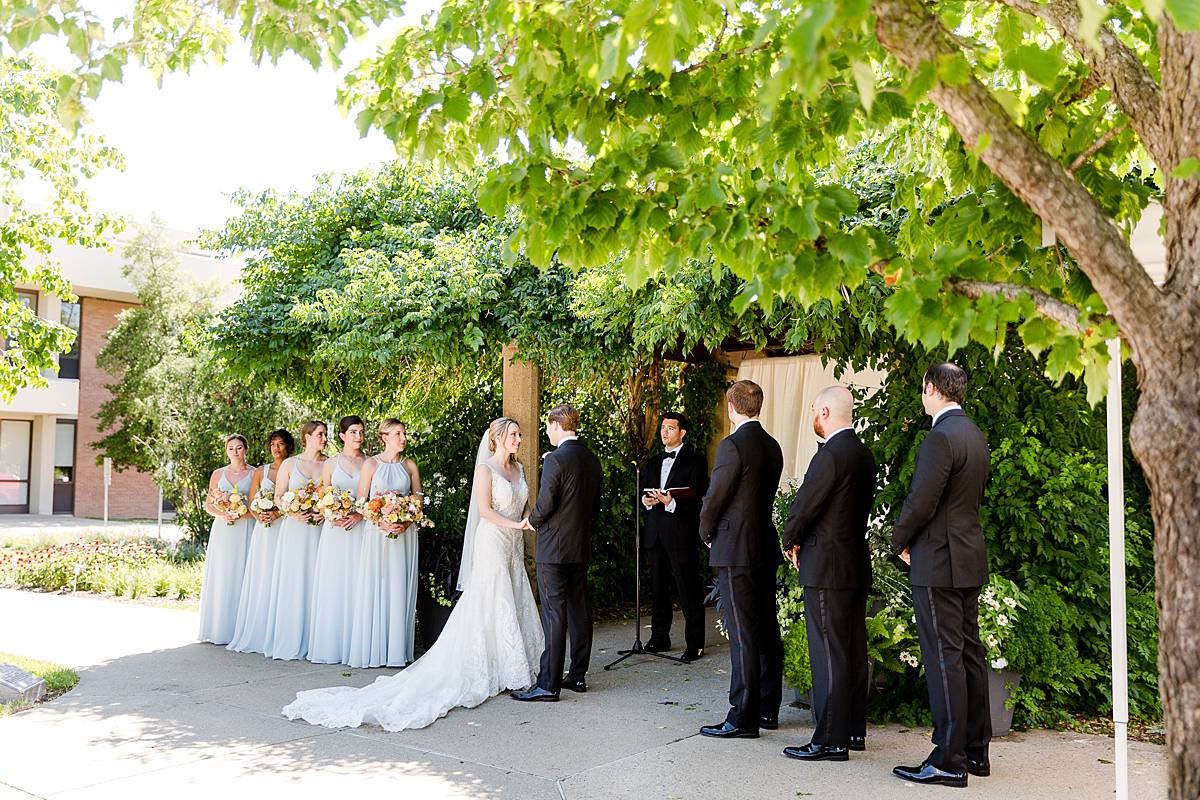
(757, 653)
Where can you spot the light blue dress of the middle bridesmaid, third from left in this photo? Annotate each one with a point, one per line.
(291, 596)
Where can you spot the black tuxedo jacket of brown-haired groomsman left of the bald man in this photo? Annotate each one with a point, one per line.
(736, 518)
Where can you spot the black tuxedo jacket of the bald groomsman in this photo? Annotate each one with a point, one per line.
(830, 514)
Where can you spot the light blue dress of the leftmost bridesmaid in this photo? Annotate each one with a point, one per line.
(225, 568)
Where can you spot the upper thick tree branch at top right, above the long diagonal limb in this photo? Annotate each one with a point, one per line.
(1135, 89)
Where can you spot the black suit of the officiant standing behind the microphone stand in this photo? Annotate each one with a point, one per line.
(671, 543)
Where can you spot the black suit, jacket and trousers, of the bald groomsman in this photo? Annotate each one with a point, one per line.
(829, 524)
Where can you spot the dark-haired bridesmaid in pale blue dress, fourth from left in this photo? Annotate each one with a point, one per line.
(338, 556)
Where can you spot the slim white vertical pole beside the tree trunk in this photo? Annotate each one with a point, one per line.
(1117, 575)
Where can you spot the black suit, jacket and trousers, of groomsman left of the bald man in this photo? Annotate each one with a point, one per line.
(736, 522)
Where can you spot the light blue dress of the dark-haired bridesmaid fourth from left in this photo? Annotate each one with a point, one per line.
(332, 616)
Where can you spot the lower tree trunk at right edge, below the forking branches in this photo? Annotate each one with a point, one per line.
(1166, 438)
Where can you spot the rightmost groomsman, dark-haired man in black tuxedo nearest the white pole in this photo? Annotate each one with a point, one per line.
(939, 536)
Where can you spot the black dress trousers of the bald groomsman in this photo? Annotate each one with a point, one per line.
(836, 621)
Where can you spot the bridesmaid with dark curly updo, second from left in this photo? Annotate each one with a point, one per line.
(250, 635)
